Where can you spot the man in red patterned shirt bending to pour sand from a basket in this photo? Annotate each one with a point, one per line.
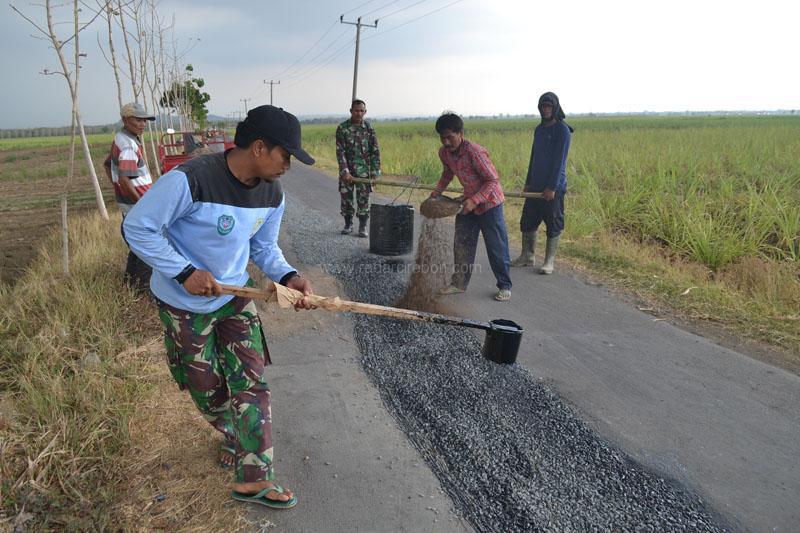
(482, 211)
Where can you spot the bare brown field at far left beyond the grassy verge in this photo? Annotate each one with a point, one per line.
(31, 184)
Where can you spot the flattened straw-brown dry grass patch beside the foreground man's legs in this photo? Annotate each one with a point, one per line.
(174, 482)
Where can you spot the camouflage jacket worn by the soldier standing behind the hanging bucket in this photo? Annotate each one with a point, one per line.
(357, 150)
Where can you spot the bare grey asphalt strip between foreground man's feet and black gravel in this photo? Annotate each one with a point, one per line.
(336, 446)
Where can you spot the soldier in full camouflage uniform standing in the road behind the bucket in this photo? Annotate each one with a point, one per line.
(359, 157)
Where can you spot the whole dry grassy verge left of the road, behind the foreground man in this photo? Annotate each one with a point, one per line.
(92, 429)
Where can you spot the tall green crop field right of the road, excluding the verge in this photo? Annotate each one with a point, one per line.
(712, 189)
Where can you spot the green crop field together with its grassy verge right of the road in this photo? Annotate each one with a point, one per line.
(658, 206)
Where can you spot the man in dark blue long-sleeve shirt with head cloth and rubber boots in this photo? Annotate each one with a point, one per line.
(547, 173)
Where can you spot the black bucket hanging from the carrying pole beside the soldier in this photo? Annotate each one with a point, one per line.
(391, 229)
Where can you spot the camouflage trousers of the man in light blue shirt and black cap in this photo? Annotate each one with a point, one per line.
(219, 358)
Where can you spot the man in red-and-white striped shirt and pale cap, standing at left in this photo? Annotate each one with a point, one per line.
(126, 168)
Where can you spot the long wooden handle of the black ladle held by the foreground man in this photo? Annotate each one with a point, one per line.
(337, 304)
